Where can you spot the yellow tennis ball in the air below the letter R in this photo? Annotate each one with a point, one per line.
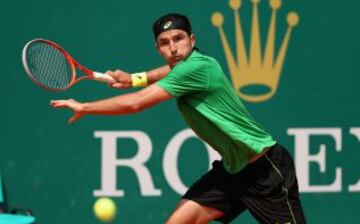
(105, 209)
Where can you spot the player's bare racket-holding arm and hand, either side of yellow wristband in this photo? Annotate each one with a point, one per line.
(124, 80)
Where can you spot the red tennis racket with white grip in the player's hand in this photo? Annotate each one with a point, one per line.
(53, 68)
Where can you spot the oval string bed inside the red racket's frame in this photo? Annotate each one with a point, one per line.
(48, 66)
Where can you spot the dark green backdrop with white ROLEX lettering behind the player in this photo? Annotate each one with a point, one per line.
(55, 169)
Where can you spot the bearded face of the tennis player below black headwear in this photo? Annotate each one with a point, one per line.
(175, 45)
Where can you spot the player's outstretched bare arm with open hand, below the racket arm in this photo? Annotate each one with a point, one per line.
(123, 104)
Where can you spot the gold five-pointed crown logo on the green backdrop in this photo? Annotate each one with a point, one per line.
(255, 69)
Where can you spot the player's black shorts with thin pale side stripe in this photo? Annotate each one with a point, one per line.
(267, 187)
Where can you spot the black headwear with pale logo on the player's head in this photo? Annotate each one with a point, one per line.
(171, 21)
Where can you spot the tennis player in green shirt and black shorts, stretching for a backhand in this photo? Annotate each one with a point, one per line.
(255, 173)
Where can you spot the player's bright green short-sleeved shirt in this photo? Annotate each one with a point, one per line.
(213, 110)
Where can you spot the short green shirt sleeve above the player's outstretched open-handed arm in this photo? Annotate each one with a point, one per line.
(185, 78)
